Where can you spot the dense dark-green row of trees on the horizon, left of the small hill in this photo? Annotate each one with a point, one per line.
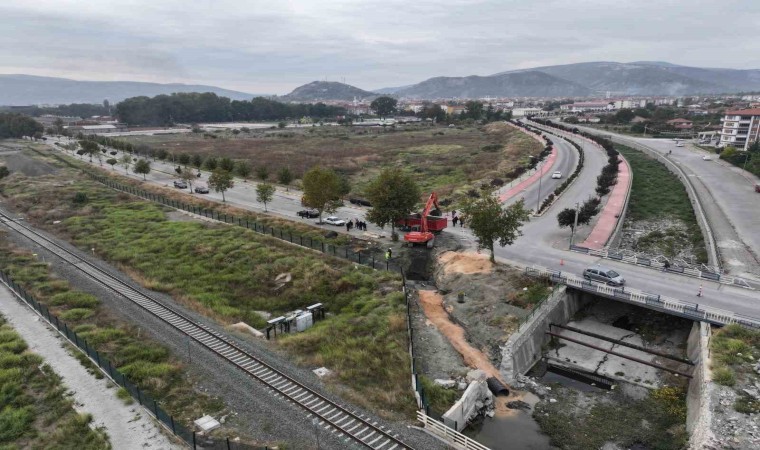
(166, 110)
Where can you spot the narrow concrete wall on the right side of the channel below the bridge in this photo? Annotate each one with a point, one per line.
(698, 399)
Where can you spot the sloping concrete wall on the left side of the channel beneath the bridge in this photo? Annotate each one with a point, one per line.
(525, 346)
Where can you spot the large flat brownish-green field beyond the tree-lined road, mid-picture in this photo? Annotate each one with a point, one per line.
(447, 160)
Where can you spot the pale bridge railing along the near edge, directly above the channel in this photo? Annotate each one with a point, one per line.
(689, 310)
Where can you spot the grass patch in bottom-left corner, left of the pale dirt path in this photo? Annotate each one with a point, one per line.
(34, 409)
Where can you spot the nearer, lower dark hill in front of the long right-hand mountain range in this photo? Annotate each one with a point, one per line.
(522, 84)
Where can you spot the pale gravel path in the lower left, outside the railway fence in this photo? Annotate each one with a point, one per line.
(128, 427)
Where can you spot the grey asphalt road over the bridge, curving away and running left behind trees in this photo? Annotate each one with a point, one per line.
(543, 243)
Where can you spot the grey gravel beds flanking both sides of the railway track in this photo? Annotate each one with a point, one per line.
(256, 410)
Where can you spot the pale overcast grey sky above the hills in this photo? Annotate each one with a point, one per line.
(271, 47)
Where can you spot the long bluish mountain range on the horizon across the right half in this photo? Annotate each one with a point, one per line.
(588, 79)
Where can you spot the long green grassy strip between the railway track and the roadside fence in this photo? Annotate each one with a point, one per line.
(229, 273)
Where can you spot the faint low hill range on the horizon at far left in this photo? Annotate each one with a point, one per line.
(32, 90)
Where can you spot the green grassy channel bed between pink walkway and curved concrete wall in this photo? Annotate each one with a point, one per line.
(657, 195)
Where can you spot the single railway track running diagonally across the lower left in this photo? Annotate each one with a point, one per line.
(328, 413)
